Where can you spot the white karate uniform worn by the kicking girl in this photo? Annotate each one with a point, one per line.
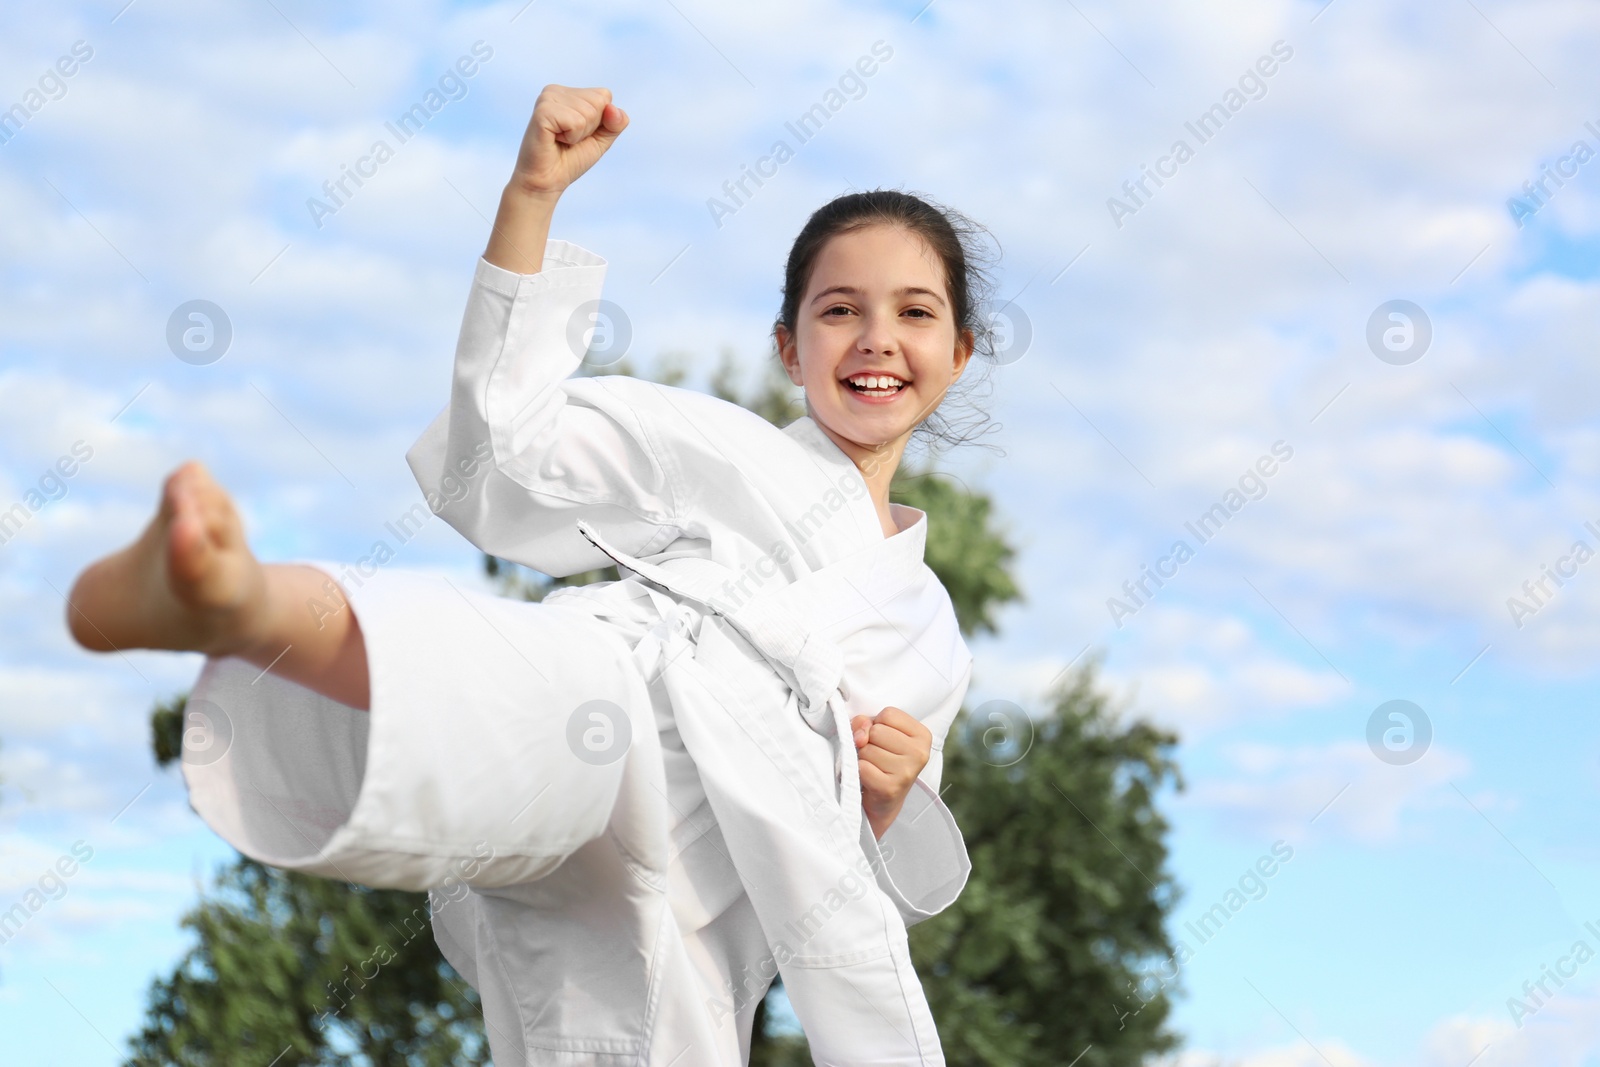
(634, 802)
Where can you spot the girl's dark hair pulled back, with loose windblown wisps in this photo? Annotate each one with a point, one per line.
(967, 262)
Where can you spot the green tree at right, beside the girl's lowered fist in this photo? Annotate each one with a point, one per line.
(1041, 957)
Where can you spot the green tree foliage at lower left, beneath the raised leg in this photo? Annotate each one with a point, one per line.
(308, 970)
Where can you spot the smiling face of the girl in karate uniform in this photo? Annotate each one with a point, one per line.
(876, 308)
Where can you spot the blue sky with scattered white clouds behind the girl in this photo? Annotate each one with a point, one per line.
(1228, 313)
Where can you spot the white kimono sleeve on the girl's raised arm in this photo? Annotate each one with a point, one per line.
(521, 454)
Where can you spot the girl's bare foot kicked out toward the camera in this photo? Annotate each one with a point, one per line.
(190, 583)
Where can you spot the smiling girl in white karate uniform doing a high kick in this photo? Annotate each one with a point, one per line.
(631, 802)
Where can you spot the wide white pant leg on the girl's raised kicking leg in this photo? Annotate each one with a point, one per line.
(460, 770)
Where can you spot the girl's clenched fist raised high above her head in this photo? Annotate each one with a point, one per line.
(569, 132)
